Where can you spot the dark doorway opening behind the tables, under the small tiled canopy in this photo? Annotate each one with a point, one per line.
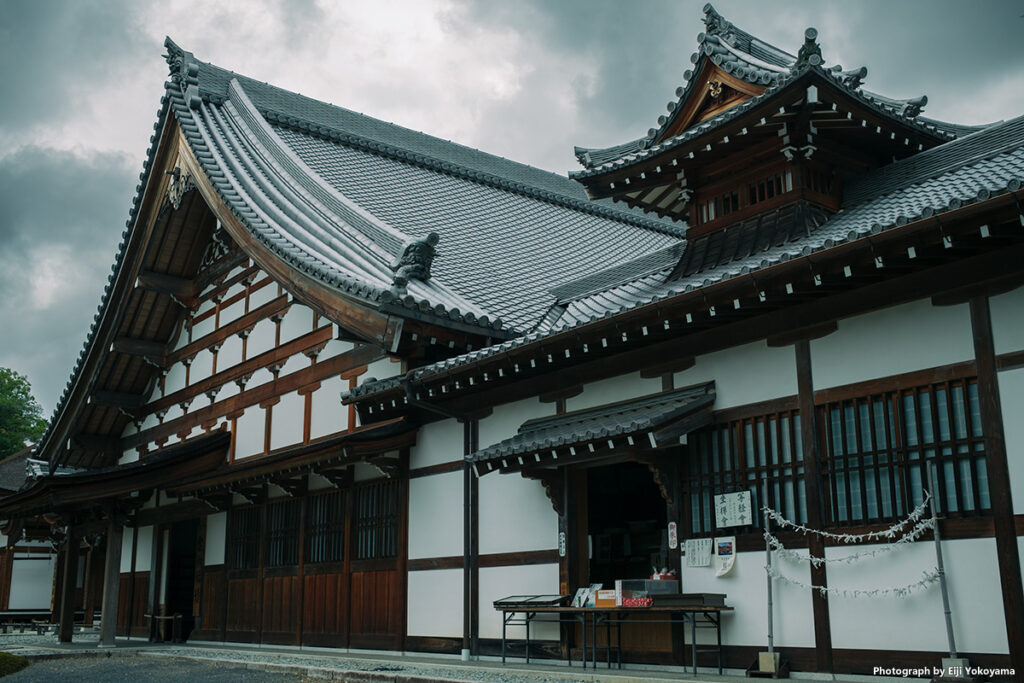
(627, 523)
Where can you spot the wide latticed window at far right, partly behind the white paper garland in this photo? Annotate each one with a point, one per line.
(880, 448)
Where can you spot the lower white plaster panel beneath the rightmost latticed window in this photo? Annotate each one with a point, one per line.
(917, 623)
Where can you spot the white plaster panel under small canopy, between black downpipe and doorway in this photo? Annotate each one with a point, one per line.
(516, 516)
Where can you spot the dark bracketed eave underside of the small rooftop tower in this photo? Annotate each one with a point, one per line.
(842, 132)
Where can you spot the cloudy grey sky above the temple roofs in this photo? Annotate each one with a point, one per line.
(81, 82)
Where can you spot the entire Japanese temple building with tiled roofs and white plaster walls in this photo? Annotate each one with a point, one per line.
(350, 383)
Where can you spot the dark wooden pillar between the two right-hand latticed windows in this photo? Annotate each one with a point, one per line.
(816, 510)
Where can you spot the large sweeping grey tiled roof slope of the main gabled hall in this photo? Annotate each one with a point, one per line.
(339, 205)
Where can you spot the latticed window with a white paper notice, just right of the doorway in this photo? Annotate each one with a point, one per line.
(744, 455)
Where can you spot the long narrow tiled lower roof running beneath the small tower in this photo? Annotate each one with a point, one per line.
(944, 180)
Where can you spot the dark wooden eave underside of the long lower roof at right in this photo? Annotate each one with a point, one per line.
(974, 250)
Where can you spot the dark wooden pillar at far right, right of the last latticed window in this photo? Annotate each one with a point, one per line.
(999, 478)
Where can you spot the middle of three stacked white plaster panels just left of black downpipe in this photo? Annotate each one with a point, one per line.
(436, 517)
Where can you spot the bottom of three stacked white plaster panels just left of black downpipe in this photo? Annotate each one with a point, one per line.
(436, 604)
